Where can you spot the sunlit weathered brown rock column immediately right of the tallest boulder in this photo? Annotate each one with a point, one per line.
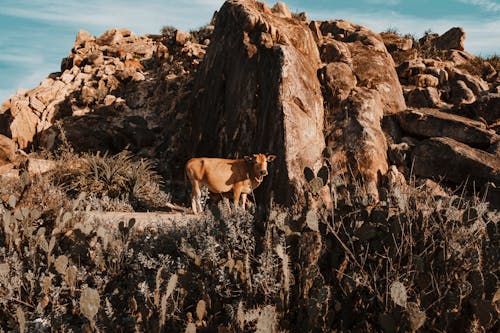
(360, 85)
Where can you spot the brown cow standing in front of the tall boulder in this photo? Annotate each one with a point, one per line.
(221, 175)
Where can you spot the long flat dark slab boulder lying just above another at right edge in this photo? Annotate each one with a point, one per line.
(434, 123)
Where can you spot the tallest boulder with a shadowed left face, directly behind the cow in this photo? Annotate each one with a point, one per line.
(257, 91)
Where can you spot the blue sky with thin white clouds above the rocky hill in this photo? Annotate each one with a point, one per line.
(36, 34)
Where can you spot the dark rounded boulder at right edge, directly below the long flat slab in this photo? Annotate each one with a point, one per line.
(456, 162)
